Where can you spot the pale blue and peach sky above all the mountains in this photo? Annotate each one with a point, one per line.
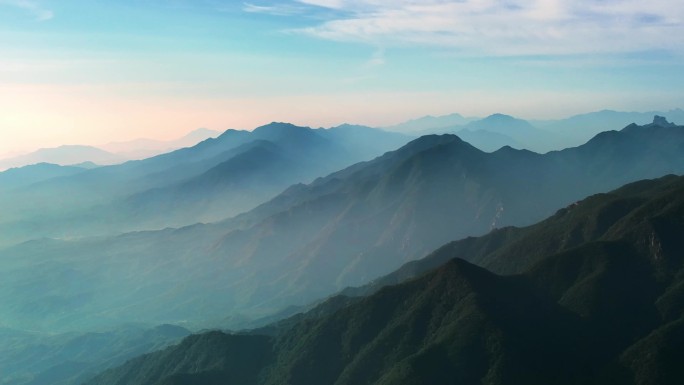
(95, 71)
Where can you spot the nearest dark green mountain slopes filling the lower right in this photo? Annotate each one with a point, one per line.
(606, 310)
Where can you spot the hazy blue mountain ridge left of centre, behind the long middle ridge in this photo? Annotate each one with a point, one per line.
(213, 180)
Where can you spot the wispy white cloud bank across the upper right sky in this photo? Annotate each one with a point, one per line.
(506, 27)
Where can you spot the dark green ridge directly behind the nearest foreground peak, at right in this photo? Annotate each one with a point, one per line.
(601, 217)
